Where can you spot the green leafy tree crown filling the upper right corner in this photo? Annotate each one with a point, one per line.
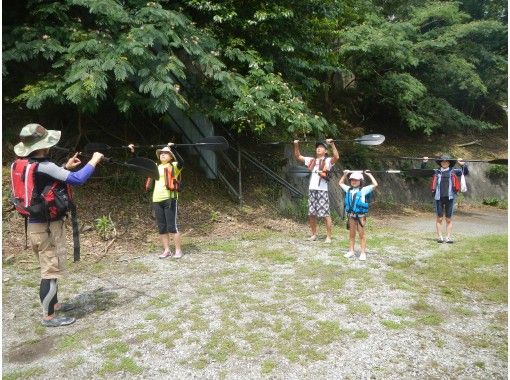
(435, 69)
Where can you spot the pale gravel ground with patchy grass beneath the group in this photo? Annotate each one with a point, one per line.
(265, 305)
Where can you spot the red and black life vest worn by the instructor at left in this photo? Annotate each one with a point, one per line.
(51, 204)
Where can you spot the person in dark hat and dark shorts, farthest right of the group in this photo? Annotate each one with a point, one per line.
(445, 186)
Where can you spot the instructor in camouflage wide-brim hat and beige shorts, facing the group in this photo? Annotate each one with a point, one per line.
(45, 230)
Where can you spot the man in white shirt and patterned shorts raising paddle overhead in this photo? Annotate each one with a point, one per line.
(318, 195)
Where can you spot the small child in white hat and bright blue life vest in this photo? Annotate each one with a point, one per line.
(356, 208)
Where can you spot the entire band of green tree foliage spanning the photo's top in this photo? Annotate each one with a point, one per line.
(267, 65)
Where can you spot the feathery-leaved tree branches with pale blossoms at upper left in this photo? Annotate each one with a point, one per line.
(142, 56)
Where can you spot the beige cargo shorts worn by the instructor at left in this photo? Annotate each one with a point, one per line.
(50, 248)
